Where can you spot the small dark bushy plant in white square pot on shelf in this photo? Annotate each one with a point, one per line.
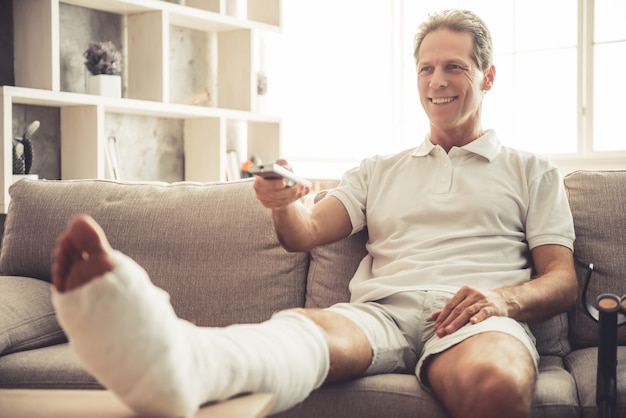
(104, 62)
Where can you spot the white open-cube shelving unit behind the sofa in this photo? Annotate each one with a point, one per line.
(232, 53)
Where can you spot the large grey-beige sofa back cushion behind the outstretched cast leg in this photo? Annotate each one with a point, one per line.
(211, 246)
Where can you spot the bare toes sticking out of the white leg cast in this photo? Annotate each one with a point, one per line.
(82, 254)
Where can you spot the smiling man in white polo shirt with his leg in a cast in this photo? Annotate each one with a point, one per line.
(442, 293)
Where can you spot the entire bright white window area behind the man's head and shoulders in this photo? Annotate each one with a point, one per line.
(342, 77)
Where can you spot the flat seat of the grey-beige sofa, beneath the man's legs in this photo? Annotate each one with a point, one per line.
(56, 367)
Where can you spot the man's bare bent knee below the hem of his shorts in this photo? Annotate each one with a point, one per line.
(488, 375)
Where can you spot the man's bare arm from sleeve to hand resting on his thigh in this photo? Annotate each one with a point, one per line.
(553, 291)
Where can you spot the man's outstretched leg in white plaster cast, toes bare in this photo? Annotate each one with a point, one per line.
(125, 332)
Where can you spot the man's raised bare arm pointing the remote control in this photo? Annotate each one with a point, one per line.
(297, 228)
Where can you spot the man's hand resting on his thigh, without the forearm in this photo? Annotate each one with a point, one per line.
(470, 305)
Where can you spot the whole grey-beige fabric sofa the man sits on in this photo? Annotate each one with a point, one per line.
(213, 248)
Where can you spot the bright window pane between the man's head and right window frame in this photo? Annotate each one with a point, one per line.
(533, 103)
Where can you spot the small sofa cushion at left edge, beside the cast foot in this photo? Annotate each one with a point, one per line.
(27, 318)
